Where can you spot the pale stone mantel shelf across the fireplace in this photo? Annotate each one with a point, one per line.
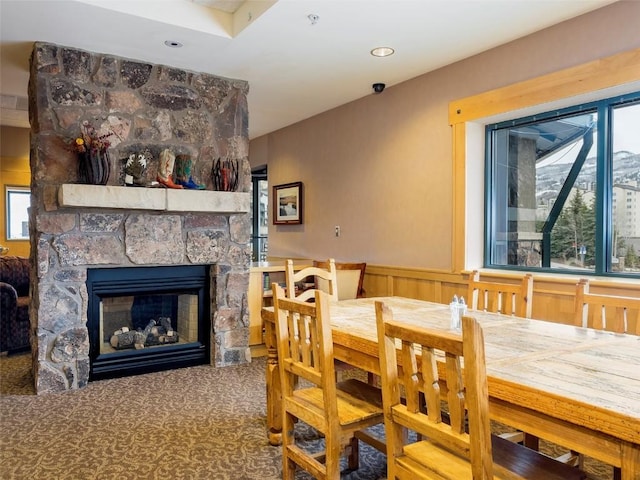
(162, 199)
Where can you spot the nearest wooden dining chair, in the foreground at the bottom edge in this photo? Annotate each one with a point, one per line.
(446, 407)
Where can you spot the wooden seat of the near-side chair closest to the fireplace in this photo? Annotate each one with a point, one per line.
(358, 404)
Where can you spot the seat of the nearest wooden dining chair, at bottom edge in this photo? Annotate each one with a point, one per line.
(511, 462)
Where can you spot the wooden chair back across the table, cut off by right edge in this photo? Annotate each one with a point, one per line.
(613, 313)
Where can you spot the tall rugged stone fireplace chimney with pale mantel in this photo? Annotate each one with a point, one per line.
(80, 229)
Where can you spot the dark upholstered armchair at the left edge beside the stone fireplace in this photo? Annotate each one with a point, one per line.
(14, 304)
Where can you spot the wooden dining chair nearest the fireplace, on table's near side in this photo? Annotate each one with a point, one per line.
(336, 410)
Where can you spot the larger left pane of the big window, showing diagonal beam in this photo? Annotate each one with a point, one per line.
(543, 190)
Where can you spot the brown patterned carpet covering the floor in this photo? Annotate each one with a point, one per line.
(191, 423)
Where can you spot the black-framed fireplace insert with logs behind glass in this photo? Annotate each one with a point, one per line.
(147, 319)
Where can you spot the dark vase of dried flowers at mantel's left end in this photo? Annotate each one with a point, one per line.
(94, 164)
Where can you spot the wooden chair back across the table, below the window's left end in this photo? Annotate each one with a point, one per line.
(497, 297)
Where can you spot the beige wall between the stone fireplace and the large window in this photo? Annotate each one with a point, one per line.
(381, 167)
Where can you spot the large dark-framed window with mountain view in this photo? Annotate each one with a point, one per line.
(563, 190)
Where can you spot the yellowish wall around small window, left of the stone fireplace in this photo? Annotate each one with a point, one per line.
(14, 171)
